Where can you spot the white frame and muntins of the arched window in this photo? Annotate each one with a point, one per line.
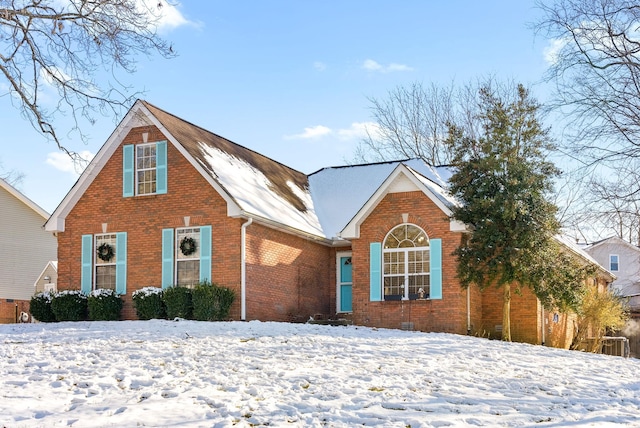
(399, 258)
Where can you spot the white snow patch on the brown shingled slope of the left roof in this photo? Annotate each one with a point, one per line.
(255, 194)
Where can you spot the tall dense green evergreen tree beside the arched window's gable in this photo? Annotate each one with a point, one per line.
(503, 180)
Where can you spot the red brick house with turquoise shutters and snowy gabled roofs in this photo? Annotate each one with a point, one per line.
(166, 202)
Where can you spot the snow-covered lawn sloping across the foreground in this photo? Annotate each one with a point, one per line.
(197, 374)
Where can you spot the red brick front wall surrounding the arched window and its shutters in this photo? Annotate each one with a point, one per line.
(446, 315)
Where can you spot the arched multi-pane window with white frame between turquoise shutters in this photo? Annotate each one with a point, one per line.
(406, 254)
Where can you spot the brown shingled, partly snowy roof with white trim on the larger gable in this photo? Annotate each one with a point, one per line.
(252, 184)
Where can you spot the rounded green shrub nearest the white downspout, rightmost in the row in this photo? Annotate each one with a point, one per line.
(211, 302)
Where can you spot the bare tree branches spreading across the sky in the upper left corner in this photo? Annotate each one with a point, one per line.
(75, 48)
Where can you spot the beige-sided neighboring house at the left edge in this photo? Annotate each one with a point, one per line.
(25, 247)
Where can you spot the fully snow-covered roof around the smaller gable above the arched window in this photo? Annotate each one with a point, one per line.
(339, 192)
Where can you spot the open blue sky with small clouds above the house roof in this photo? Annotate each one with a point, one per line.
(290, 79)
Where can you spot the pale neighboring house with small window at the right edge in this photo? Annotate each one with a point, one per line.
(623, 260)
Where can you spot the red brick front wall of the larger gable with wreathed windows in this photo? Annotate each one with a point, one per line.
(144, 217)
